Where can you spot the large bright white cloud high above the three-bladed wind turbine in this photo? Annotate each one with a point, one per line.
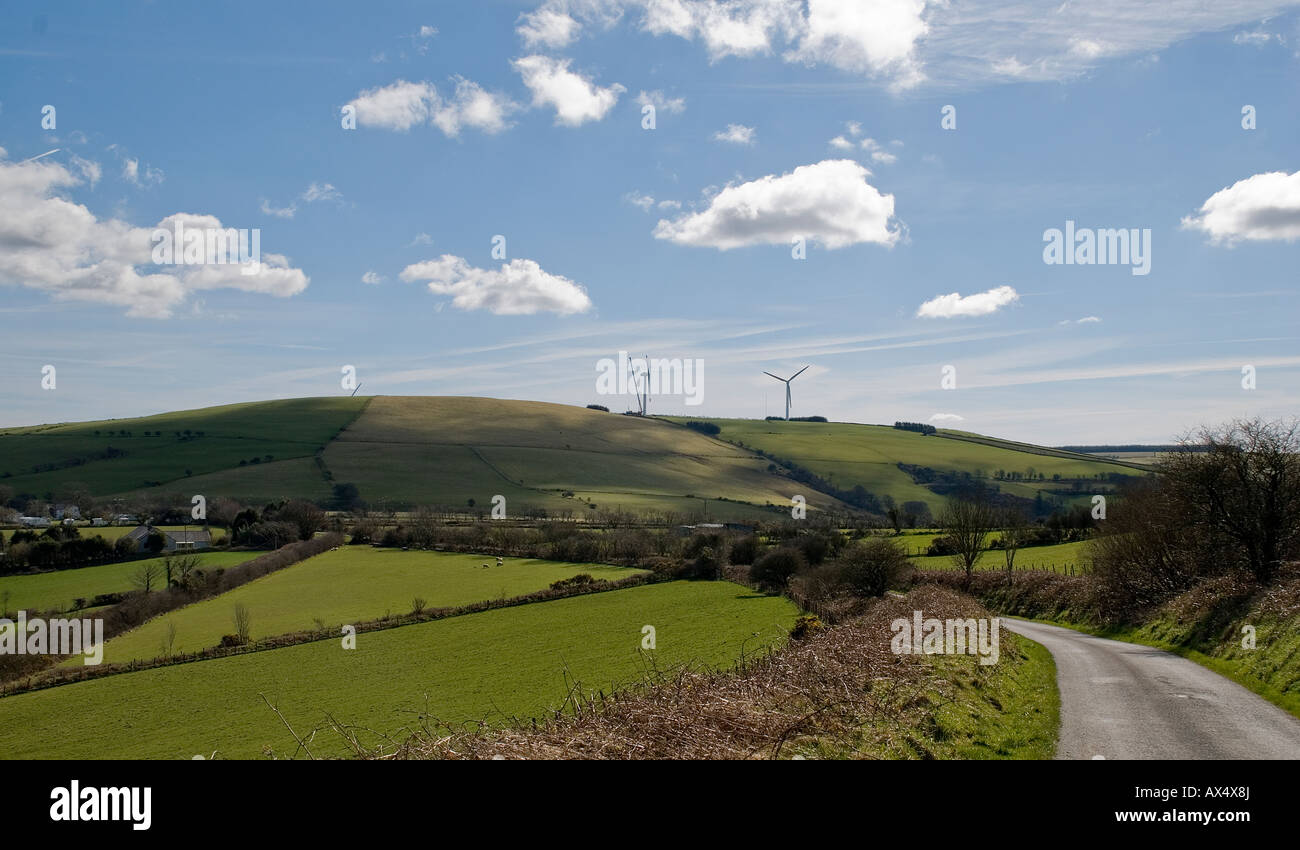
(830, 202)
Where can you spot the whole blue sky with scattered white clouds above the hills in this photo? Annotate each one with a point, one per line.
(526, 120)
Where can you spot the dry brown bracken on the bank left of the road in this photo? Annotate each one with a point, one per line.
(839, 693)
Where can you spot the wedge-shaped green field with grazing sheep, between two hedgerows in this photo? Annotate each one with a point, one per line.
(348, 586)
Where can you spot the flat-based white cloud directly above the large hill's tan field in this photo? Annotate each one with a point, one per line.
(521, 288)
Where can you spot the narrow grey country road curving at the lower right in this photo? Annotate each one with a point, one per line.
(1124, 701)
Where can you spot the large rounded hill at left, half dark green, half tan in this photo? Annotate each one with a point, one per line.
(401, 452)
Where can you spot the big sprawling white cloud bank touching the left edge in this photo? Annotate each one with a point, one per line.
(54, 245)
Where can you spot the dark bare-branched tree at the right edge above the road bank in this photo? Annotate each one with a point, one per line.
(1243, 483)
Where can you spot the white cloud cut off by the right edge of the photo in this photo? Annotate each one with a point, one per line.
(1259, 209)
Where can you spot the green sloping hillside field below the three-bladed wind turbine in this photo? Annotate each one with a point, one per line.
(847, 456)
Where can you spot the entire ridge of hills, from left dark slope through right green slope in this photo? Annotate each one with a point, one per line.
(406, 452)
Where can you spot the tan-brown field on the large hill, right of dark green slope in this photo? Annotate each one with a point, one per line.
(450, 450)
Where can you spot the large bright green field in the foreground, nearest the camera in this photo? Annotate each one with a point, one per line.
(491, 666)
